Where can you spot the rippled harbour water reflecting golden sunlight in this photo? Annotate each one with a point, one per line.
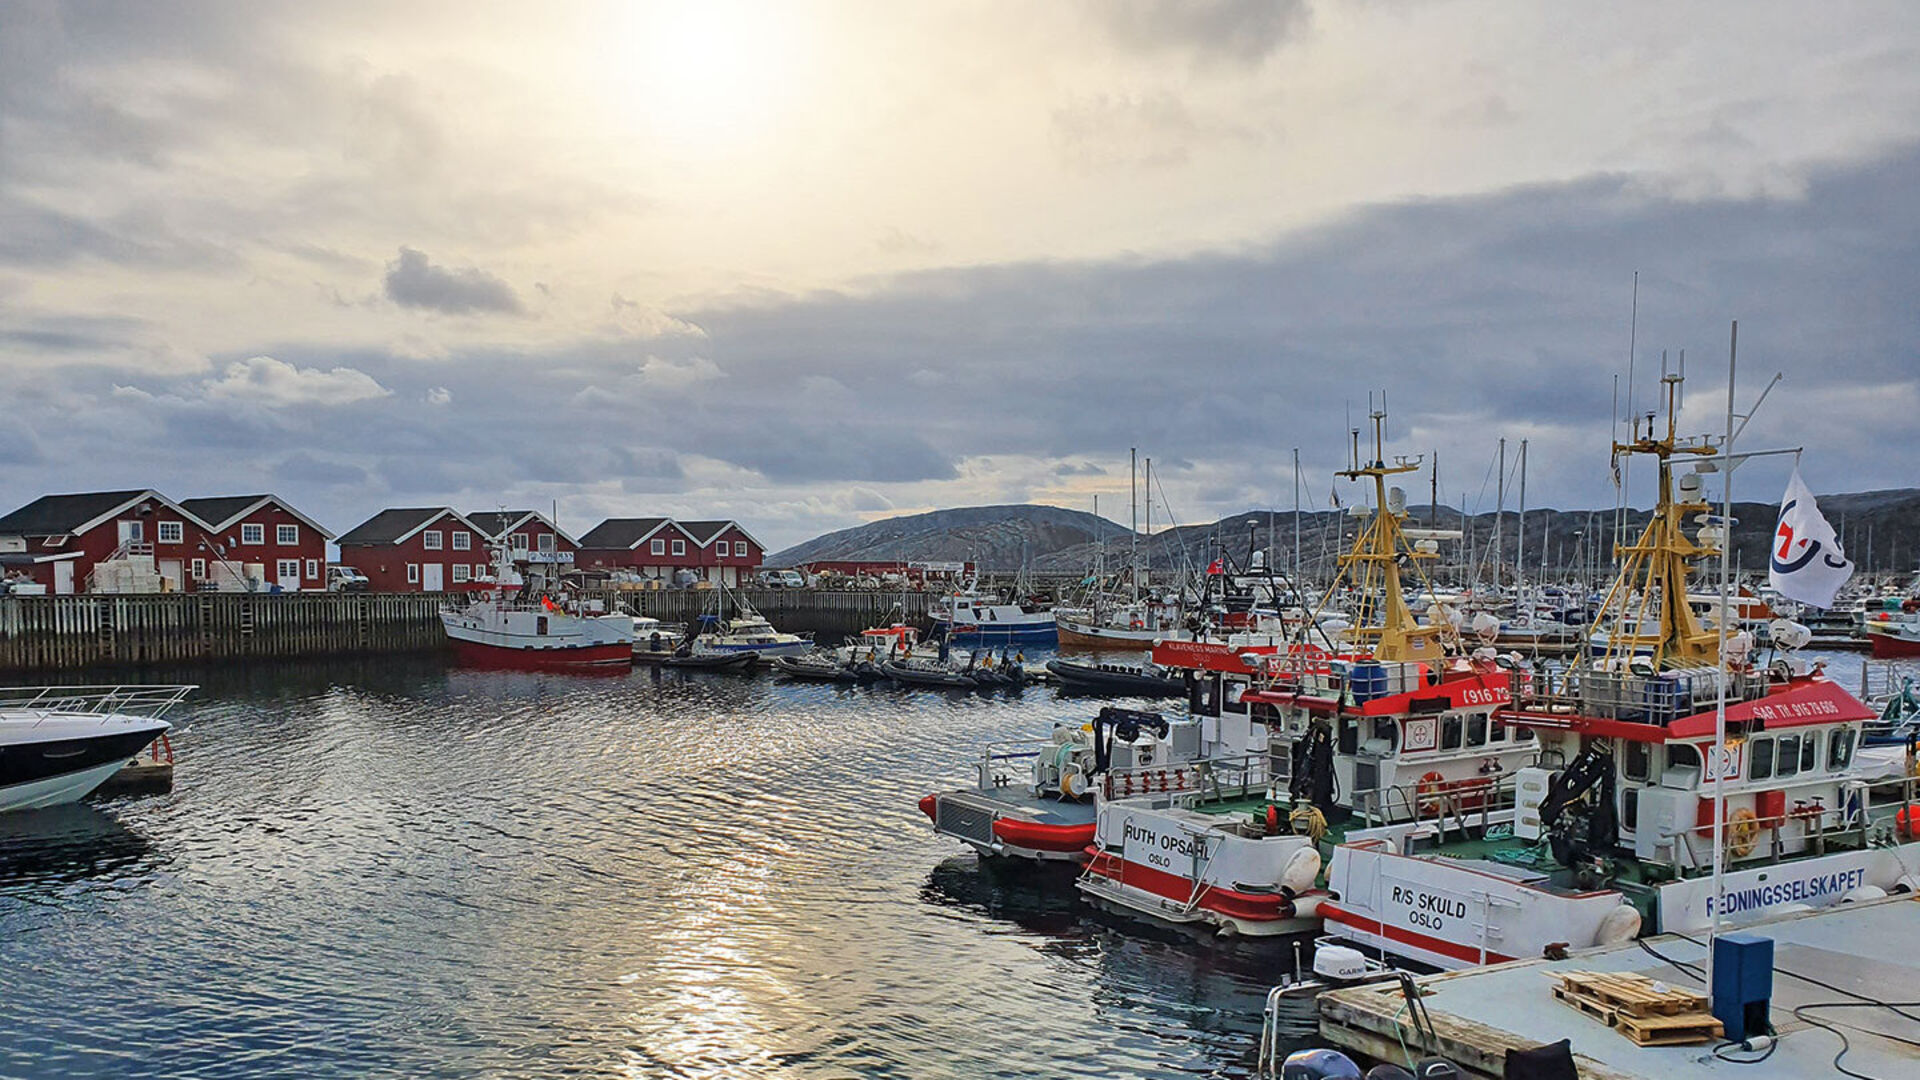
(406, 870)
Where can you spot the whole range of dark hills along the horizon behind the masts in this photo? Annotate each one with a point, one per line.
(1881, 531)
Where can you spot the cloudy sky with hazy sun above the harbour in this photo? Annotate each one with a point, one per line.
(815, 264)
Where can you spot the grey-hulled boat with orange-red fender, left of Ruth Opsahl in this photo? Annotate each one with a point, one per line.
(1036, 798)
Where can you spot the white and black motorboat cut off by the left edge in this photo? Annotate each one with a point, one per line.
(60, 743)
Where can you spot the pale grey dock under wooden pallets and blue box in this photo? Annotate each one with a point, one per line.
(1479, 1014)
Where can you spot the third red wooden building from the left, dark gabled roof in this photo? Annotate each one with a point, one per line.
(420, 551)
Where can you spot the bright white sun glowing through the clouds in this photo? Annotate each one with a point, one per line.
(702, 74)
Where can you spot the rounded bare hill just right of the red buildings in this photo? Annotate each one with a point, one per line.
(994, 537)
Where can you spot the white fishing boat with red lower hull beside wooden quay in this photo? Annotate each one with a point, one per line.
(529, 624)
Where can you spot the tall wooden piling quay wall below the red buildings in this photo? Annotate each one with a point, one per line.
(62, 633)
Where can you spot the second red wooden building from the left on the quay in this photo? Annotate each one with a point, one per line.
(289, 547)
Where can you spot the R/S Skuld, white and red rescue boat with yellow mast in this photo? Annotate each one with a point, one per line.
(1637, 798)
